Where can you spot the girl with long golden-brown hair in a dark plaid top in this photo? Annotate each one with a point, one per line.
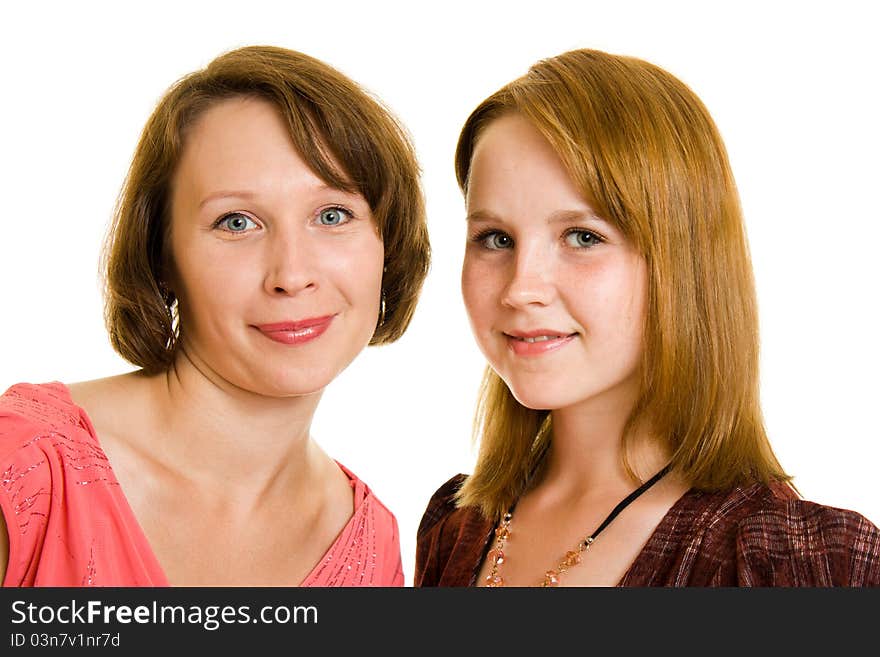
(608, 282)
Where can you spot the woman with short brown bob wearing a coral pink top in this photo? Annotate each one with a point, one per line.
(271, 226)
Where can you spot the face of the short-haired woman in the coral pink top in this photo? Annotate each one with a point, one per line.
(278, 275)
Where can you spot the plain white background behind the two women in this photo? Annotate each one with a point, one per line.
(791, 85)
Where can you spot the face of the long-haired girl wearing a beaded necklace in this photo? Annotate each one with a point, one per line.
(555, 294)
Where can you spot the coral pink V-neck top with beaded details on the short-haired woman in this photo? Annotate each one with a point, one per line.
(69, 523)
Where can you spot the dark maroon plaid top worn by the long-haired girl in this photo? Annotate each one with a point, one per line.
(750, 536)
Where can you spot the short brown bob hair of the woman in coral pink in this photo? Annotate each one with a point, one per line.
(348, 138)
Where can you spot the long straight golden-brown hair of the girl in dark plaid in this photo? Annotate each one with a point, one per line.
(643, 148)
